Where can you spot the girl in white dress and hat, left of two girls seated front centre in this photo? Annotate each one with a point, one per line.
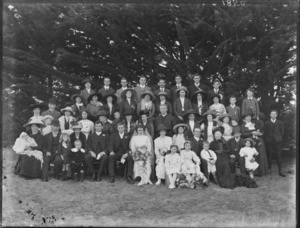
(172, 164)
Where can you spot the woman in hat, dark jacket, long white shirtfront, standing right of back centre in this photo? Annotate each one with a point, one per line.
(181, 104)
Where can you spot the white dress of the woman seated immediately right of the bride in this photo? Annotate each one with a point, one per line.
(161, 144)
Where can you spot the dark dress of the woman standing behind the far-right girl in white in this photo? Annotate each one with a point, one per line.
(261, 158)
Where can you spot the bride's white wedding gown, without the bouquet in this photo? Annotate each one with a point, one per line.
(141, 168)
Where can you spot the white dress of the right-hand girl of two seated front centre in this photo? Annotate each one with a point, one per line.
(190, 162)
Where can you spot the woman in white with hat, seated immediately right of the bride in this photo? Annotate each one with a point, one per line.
(161, 146)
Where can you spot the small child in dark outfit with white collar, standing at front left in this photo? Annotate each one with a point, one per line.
(77, 160)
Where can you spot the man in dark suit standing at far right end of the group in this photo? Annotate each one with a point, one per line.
(274, 131)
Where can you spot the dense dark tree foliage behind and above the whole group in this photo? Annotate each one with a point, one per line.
(49, 48)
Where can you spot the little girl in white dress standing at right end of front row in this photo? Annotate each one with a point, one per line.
(249, 152)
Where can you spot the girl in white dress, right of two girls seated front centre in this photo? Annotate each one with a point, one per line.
(190, 163)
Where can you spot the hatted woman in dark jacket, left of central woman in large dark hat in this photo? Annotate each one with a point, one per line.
(128, 103)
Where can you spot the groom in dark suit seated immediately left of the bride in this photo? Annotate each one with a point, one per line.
(119, 151)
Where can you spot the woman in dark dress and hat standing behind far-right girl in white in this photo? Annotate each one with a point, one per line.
(252, 128)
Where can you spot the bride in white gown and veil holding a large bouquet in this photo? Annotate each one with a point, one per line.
(140, 145)
